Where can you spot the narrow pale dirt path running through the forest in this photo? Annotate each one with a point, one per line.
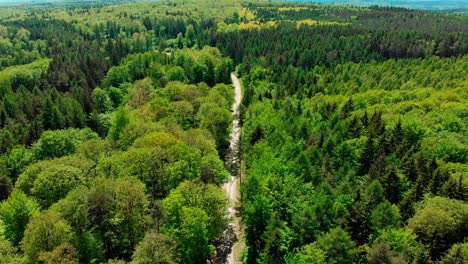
(232, 186)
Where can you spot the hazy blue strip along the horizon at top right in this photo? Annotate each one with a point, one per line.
(415, 4)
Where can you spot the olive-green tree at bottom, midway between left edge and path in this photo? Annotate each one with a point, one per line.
(117, 213)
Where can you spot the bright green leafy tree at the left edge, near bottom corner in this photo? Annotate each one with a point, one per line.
(15, 213)
